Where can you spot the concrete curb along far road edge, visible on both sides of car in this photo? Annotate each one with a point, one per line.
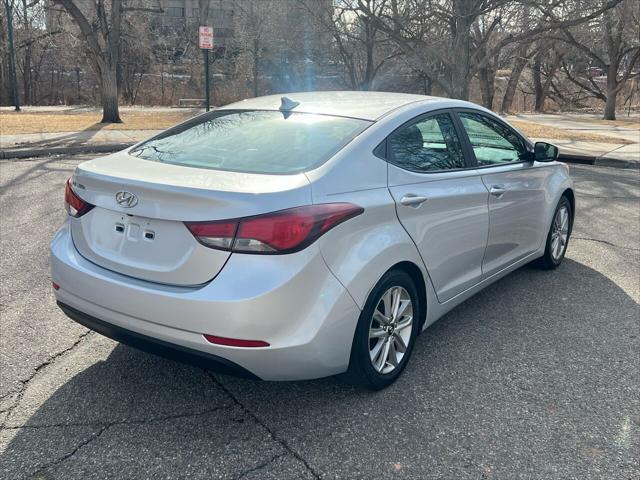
(115, 147)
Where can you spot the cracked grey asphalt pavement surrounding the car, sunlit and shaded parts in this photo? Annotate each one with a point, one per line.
(536, 377)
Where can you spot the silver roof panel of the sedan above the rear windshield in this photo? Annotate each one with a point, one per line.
(356, 104)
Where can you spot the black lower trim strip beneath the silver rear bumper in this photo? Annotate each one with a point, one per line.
(155, 346)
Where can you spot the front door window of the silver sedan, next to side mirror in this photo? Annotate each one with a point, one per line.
(492, 142)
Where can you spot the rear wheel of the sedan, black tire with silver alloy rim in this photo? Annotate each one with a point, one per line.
(367, 367)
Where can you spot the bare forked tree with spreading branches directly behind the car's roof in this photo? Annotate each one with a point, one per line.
(442, 31)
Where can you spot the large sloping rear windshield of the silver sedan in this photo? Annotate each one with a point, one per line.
(253, 141)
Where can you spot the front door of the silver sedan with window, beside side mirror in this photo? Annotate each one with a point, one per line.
(516, 186)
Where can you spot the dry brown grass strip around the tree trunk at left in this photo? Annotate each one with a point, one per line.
(14, 123)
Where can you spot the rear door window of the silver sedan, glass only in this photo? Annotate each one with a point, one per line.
(430, 144)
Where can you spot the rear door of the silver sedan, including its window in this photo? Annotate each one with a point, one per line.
(441, 201)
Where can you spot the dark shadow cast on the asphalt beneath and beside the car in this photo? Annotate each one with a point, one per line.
(535, 377)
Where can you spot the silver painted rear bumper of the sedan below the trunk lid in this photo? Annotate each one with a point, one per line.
(293, 302)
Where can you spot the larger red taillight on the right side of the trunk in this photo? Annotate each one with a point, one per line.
(284, 231)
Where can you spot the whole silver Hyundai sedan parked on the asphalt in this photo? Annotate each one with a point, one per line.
(308, 235)
